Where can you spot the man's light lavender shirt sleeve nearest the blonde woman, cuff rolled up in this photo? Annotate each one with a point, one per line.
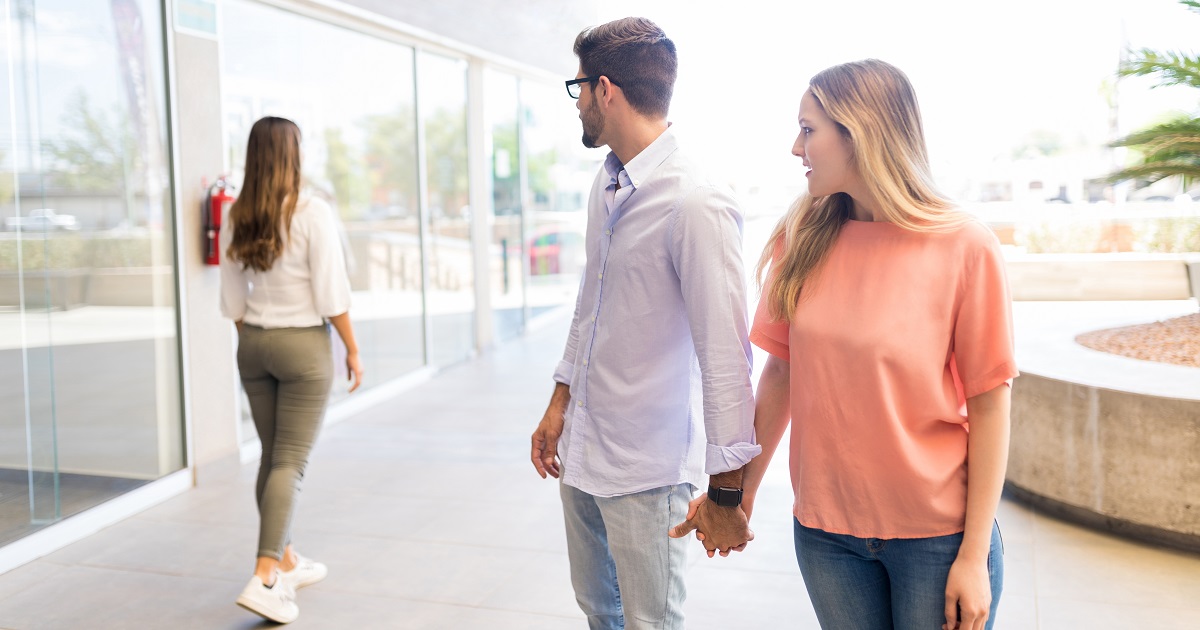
(706, 249)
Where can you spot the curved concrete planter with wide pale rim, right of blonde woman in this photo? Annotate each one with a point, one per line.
(1103, 440)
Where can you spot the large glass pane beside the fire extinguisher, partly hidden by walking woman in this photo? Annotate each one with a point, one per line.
(359, 128)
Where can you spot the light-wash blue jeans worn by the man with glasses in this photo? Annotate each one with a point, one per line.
(626, 571)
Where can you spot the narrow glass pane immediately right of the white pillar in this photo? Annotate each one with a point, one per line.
(506, 250)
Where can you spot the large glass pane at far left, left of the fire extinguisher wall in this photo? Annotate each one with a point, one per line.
(89, 368)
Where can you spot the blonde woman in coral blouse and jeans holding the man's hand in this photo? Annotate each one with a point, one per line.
(886, 314)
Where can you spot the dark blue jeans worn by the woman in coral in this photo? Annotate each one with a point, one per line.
(869, 584)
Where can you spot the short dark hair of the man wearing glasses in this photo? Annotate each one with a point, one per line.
(637, 55)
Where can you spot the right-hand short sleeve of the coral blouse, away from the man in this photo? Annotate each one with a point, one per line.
(983, 329)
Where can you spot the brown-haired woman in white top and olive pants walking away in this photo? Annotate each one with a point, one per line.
(283, 279)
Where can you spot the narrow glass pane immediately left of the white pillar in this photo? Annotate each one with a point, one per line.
(452, 293)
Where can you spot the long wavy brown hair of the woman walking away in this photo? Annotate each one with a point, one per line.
(262, 215)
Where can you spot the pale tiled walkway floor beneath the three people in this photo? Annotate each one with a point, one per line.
(430, 517)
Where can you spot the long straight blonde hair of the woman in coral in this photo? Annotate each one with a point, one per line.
(875, 109)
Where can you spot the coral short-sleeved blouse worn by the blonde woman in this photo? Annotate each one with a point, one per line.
(892, 335)
